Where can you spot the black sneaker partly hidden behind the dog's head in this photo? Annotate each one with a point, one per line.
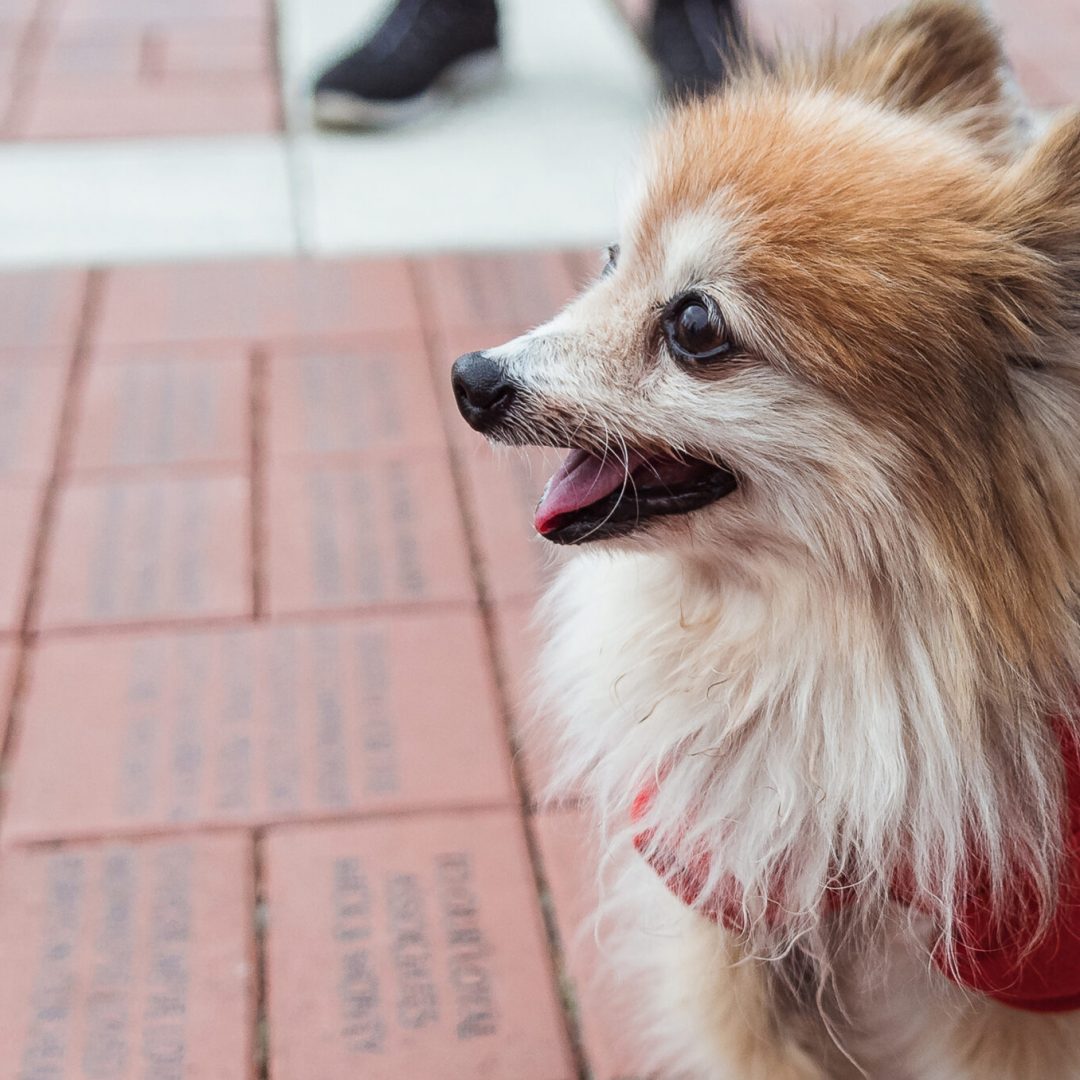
(692, 43)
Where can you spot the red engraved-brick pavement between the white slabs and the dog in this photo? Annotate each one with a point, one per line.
(263, 647)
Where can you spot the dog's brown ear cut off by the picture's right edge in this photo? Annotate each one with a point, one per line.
(1037, 206)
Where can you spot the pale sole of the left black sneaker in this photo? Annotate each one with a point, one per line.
(467, 76)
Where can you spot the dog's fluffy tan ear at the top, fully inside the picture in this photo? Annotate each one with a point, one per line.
(944, 58)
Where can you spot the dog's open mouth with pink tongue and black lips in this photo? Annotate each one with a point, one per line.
(596, 498)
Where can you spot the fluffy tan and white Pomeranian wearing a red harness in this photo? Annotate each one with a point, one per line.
(817, 659)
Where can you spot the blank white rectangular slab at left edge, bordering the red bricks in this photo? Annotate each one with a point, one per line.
(144, 199)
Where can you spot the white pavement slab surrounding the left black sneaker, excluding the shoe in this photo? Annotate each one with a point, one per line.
(538, 161)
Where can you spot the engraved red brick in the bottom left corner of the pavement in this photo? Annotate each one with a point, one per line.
(129, 962)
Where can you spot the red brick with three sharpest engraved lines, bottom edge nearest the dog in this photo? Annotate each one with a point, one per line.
(410, 950)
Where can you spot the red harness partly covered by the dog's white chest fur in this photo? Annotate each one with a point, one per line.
(992, 951)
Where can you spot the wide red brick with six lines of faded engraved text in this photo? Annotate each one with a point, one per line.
(289, 721)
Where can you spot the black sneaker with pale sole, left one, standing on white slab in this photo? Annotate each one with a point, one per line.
(423, 49)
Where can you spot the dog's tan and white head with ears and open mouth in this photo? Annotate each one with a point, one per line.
(809, 335)
